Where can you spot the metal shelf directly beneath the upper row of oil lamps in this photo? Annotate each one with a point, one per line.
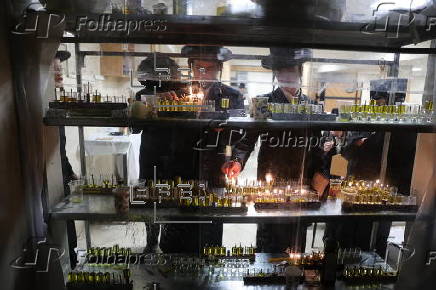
(243, 123)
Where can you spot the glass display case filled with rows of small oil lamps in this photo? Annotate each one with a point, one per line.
(273, 143)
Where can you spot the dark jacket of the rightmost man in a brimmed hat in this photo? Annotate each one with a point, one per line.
(286, 154)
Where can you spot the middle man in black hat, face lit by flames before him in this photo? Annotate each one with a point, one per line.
(206, 63)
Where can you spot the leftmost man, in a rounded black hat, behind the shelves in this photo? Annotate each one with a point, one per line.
(157, 144)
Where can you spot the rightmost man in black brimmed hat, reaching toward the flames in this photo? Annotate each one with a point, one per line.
(288, 161)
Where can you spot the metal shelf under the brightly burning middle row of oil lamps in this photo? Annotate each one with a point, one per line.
(96, 207)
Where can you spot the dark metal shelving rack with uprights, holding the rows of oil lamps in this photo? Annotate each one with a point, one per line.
(249, 32)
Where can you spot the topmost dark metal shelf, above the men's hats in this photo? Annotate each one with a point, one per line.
(240, 31)
